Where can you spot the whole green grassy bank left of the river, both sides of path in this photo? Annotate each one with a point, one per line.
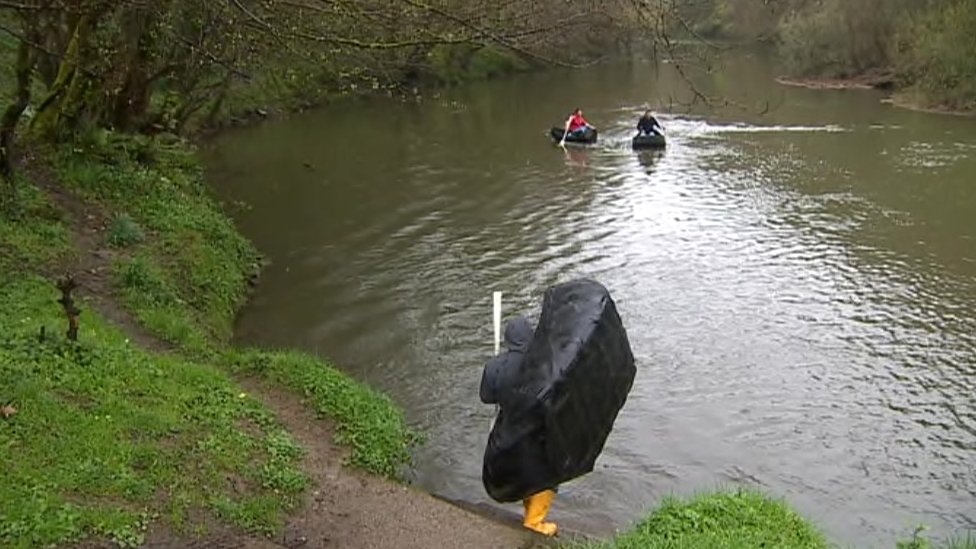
(101, 437)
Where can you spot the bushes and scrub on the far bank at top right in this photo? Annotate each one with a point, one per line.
(924, 49)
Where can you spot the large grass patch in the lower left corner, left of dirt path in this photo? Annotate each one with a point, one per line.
(107, 436)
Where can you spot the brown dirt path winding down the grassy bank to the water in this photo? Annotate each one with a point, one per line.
(343, 508)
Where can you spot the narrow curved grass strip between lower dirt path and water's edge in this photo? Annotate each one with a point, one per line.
(367, 421)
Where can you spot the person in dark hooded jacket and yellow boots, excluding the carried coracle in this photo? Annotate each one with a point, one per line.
(498, 387)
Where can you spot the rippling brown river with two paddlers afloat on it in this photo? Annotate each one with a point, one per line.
(797, 274)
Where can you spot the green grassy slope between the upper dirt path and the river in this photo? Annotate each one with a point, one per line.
(199, 255)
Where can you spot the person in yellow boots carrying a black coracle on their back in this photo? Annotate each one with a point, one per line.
(558, 389)
